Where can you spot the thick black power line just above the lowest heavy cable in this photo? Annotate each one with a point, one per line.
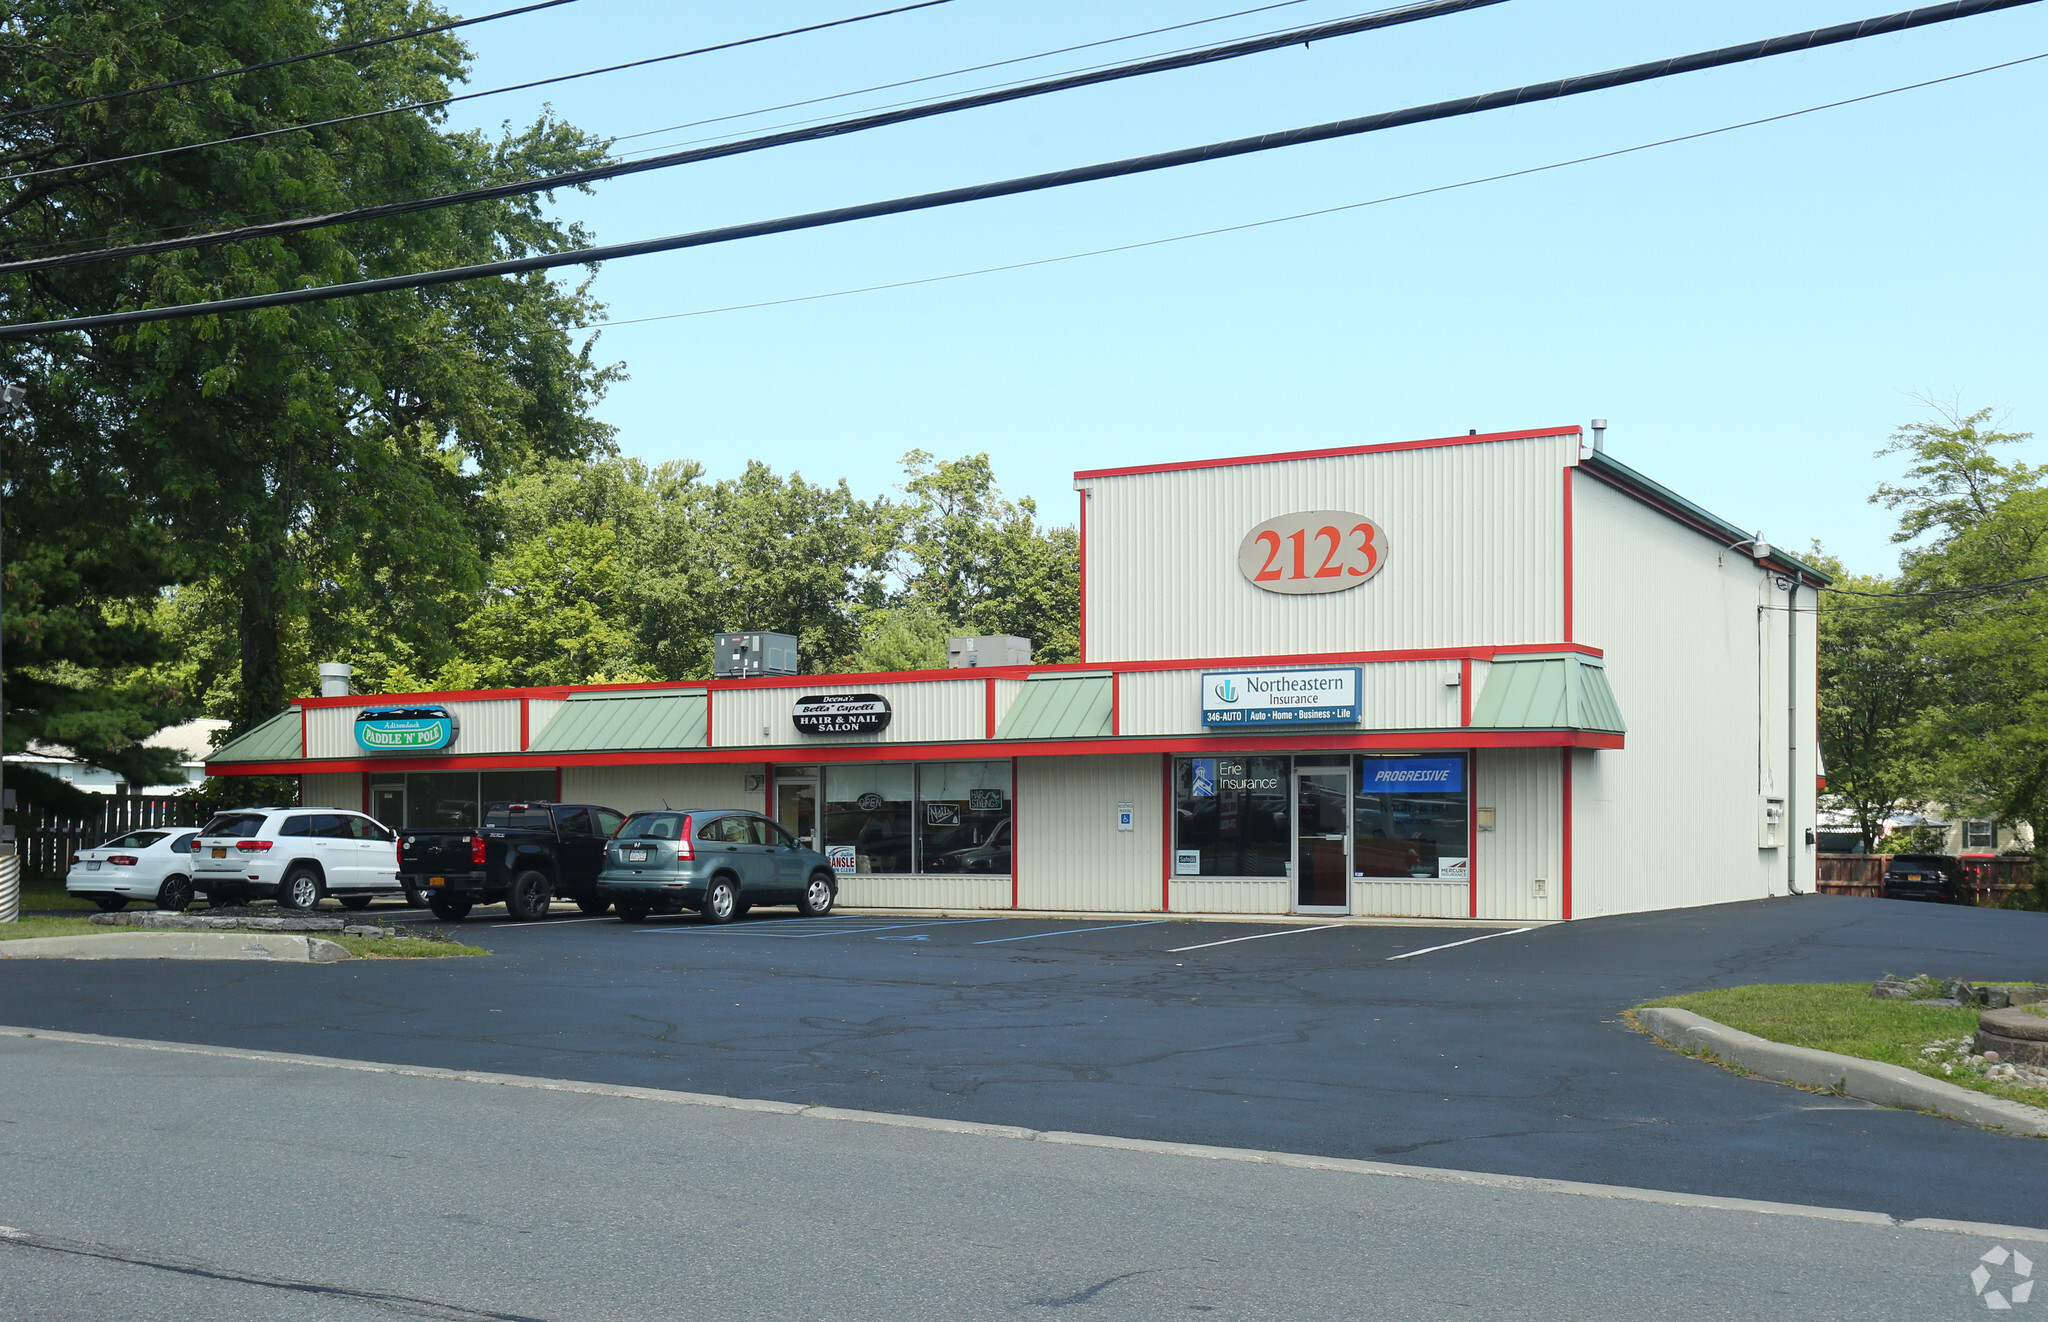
(1431, 9)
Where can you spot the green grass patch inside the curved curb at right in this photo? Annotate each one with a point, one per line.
(1848, 1020)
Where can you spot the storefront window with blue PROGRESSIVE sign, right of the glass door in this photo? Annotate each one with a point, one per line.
(1410, 820)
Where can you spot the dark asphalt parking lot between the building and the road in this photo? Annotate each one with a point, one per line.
(1441, 1047)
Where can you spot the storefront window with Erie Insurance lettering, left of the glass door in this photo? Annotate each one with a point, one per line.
(1232, 818)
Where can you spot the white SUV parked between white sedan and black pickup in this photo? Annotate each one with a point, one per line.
(298, 856)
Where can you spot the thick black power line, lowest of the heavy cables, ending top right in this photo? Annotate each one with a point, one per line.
(1058, 179)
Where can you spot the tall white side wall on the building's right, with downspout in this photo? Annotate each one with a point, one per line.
(1678, 623)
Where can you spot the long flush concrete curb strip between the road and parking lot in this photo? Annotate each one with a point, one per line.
(1302, 1161)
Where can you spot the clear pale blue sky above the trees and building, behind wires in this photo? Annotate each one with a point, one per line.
(1752, 312)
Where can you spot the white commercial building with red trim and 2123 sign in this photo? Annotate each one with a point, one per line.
(1482, 676)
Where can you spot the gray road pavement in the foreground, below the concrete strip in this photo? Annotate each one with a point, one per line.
(151, 1188)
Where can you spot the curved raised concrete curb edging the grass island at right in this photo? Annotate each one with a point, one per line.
(1887, 1086)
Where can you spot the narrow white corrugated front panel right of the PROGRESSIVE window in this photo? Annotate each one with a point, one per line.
(1525, 789)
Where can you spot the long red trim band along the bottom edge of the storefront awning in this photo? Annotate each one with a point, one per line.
(957, 752)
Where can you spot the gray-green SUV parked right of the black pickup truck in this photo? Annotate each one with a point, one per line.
(718, 863)
